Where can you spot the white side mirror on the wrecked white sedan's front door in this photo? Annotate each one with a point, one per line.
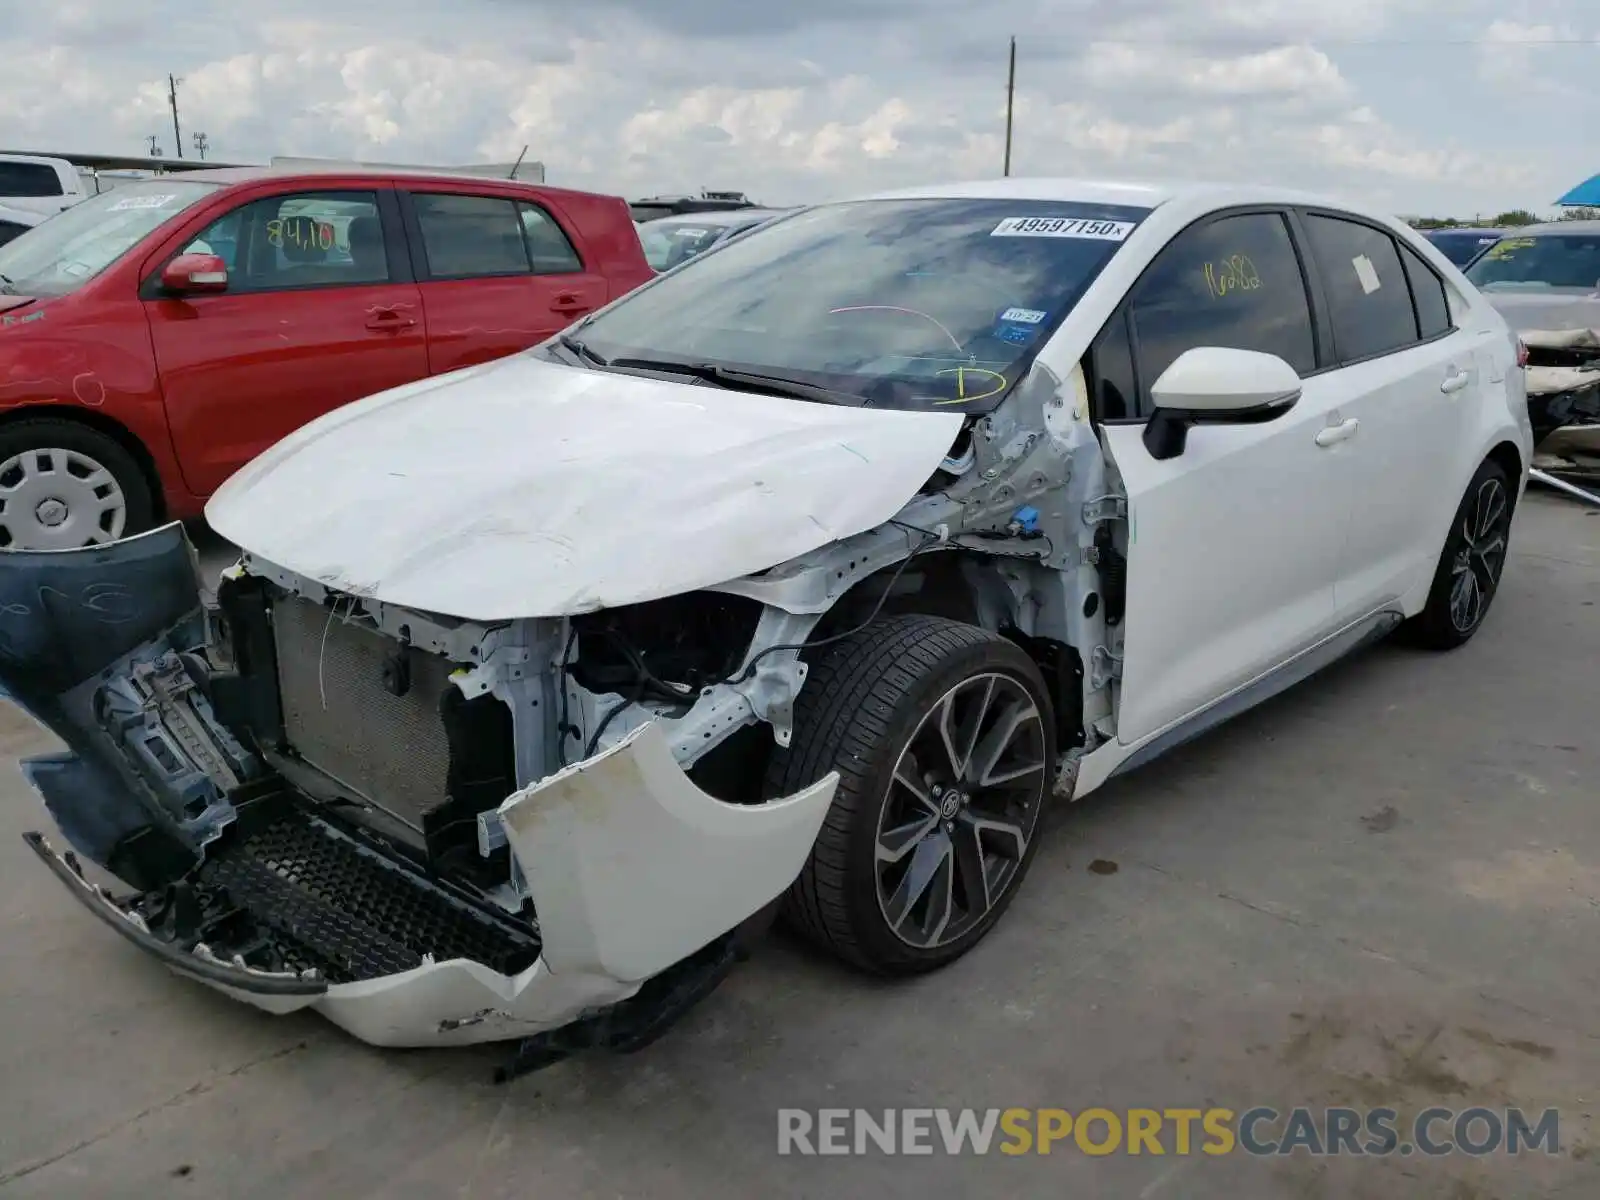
(1217, 386)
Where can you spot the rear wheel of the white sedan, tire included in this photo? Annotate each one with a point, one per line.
(1470, 567)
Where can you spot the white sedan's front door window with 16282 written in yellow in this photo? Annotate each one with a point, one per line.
(1233, 284)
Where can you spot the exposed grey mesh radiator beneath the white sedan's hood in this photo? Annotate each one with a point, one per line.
(343, 721)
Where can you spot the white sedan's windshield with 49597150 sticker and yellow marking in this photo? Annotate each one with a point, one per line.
(894, 303)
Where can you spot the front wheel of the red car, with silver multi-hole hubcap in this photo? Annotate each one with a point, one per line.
(65, 486)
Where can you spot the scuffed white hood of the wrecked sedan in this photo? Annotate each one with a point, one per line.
(529, 489)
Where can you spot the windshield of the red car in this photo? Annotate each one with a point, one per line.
(76, 246)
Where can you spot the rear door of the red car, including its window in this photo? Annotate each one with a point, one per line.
(498, 274)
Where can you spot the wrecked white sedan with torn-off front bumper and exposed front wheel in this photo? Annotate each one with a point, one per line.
(798, 580)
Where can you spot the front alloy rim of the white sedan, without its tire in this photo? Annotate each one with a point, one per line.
(961, 810)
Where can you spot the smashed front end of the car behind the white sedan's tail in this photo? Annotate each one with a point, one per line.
(1564, 404)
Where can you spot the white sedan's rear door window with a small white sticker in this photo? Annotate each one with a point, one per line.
(1369, 298)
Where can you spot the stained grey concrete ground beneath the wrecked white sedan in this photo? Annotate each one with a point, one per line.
(1380, 890)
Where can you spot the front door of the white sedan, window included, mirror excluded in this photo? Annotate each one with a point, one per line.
(1233, 545)
